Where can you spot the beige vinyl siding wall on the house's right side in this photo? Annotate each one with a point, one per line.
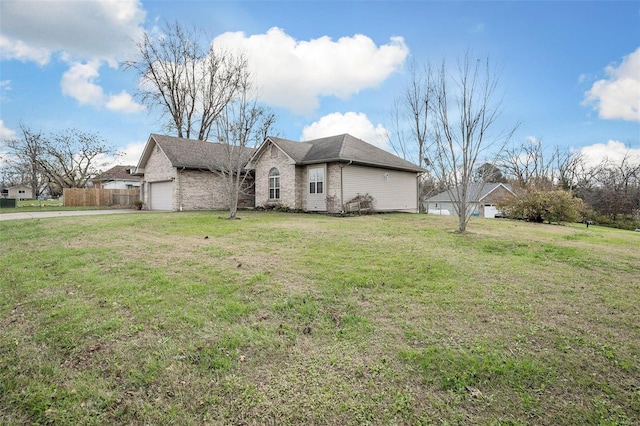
(392, 190)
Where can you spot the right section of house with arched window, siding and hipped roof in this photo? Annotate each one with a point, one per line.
(325, 174)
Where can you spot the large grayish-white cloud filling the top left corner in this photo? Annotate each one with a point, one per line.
(99, 29)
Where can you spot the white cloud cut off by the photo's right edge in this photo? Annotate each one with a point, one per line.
(618, 96)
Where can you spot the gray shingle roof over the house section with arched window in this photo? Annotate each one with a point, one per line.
(343, 148)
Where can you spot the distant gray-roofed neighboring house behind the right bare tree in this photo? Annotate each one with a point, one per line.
(484, 199)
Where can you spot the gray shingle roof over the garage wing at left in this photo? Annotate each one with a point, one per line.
(195, 154)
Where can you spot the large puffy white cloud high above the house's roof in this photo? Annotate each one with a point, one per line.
(293, 74)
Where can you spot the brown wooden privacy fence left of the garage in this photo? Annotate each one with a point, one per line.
(91, 197)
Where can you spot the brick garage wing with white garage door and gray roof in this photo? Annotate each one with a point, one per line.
(177, 175)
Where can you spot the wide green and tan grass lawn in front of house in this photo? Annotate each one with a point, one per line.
(189, 318)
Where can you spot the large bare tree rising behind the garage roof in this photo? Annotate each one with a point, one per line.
(191, 85)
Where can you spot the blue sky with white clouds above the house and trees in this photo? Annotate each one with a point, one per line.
(569, 71)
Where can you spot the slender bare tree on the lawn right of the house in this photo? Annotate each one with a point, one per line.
(465, 137)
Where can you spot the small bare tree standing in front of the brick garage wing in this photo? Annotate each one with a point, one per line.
(242, 125)
